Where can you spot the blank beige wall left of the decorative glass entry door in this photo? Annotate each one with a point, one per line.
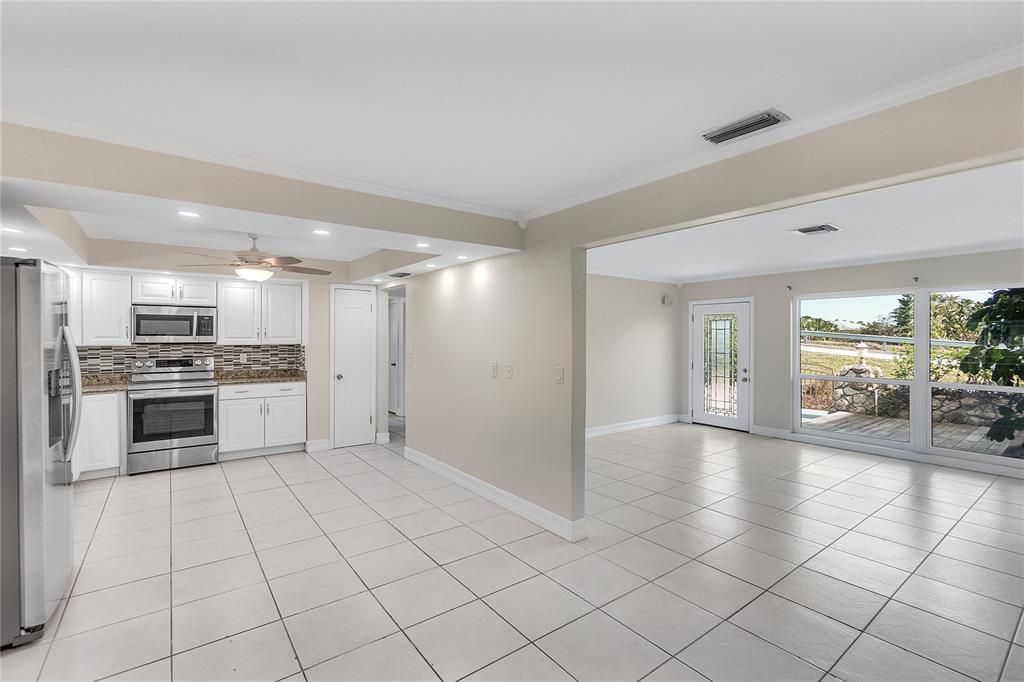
(633, 349)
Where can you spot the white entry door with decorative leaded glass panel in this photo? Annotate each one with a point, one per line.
(720, 378)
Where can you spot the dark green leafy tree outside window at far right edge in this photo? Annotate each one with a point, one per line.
(999, 323)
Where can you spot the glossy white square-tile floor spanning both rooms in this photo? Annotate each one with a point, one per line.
(712, 556)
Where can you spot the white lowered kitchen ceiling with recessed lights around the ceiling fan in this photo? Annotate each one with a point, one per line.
(110, 216)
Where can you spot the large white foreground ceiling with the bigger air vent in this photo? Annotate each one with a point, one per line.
(503, 108)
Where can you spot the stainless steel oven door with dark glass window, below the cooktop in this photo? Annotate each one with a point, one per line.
(173, 419)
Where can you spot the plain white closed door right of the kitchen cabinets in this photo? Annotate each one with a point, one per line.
(354, 367)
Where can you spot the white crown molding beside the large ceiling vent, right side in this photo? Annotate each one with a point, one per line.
(945, 80)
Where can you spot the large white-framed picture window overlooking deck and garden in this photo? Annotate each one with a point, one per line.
(926, 370)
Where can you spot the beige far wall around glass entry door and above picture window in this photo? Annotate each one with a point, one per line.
(775, 311)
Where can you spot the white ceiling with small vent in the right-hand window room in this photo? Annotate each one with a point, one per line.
(968, 212)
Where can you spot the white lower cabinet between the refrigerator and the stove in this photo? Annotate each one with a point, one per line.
(102, 435)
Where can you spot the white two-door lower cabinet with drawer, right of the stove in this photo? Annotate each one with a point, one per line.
(254, 416)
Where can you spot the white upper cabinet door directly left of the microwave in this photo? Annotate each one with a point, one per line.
(106, 310)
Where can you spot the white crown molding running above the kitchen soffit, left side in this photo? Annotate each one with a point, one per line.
(34, 120)
